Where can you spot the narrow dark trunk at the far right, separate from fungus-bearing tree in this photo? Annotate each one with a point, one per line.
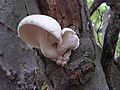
(109, 46)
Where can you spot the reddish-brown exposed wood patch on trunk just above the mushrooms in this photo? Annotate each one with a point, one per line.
(66, 12)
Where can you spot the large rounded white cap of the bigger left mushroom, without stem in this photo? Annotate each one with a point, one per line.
(32, 27)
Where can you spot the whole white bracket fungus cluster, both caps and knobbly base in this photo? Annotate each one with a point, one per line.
(44, 32)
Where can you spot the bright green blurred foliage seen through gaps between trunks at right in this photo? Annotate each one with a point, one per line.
(97, 19)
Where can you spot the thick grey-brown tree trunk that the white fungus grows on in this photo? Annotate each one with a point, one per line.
(24, 69)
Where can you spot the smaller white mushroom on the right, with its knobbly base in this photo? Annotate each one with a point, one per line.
(70, 42)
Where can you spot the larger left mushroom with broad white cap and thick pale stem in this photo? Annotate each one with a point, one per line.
(42, 32)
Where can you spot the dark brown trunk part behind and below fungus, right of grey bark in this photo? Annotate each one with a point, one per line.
(79, 70)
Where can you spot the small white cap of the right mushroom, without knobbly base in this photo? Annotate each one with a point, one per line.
(70, 41)
